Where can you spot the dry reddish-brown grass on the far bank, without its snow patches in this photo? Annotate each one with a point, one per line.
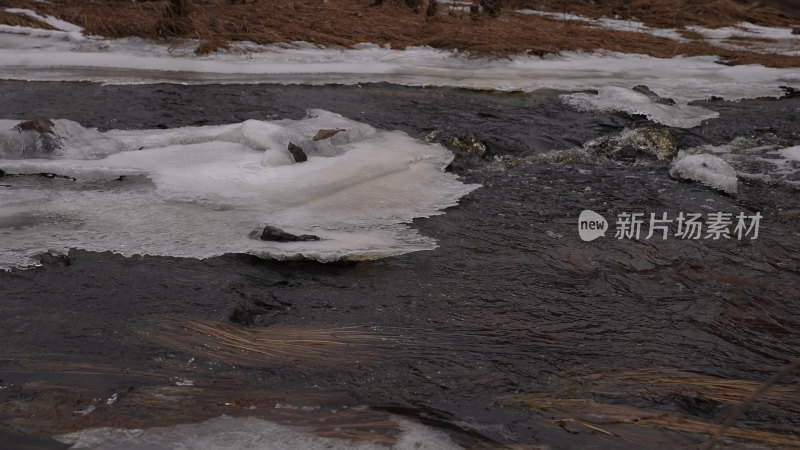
(348, 22)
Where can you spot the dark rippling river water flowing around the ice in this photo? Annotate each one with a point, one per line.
(513, 331)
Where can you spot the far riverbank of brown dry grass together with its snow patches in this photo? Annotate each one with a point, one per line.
(664, 29)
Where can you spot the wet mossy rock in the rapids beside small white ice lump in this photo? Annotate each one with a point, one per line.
(631, 143)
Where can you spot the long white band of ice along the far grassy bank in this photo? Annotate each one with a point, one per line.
(30, 54)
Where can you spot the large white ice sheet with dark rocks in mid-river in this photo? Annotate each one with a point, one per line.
(207, 191)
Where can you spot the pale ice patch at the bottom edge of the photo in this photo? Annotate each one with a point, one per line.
(244, 433)
